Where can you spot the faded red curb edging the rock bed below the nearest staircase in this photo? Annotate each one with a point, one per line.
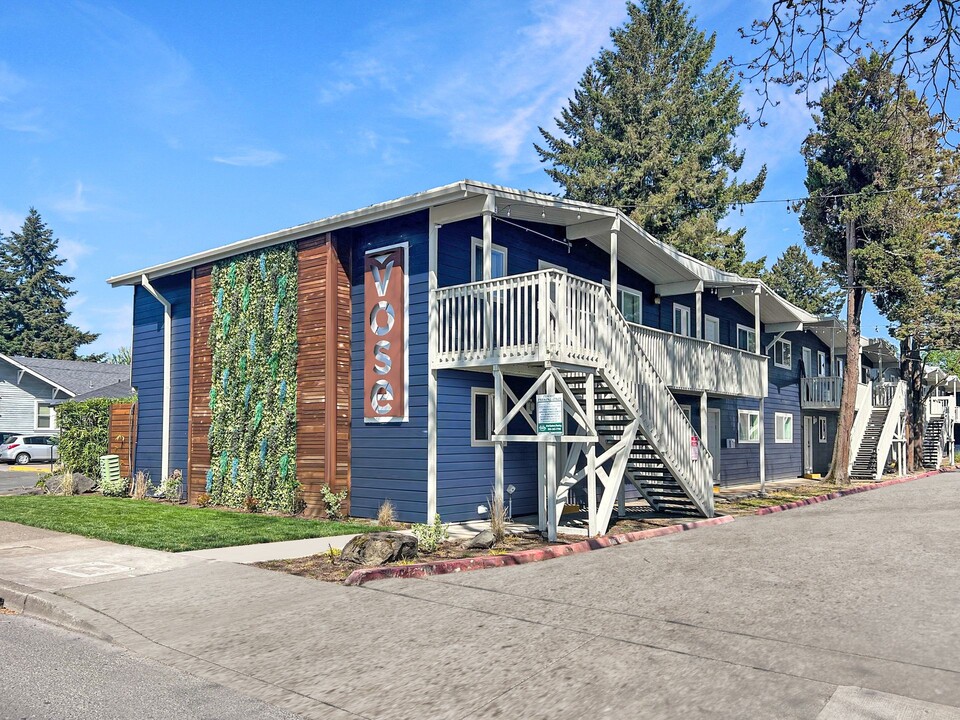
(442, 567)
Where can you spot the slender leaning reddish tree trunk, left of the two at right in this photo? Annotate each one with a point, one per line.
(840, 468)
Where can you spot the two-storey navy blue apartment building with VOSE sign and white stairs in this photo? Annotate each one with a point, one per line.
(429, 327)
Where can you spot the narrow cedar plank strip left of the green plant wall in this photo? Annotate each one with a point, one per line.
(202, 366)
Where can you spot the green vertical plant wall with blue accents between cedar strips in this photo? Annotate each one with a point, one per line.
(253, 393)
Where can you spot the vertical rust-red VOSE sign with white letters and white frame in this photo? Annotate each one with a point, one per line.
(385, 334)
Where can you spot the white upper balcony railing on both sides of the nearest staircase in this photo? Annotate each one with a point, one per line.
(507, 321)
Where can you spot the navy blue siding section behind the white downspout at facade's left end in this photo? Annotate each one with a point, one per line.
(147, 372)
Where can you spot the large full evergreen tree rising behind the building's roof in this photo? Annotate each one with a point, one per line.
(650, 129)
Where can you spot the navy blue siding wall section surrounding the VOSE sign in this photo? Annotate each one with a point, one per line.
(389, 460)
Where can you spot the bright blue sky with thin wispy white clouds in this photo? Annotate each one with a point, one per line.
(146, 131)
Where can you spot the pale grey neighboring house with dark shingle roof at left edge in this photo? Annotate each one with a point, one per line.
(30, 388)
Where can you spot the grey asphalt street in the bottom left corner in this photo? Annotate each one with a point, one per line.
(51, 674)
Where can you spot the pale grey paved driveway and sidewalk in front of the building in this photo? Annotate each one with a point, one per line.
(845, 609)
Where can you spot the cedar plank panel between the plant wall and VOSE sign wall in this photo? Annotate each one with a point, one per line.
(323, 376)
